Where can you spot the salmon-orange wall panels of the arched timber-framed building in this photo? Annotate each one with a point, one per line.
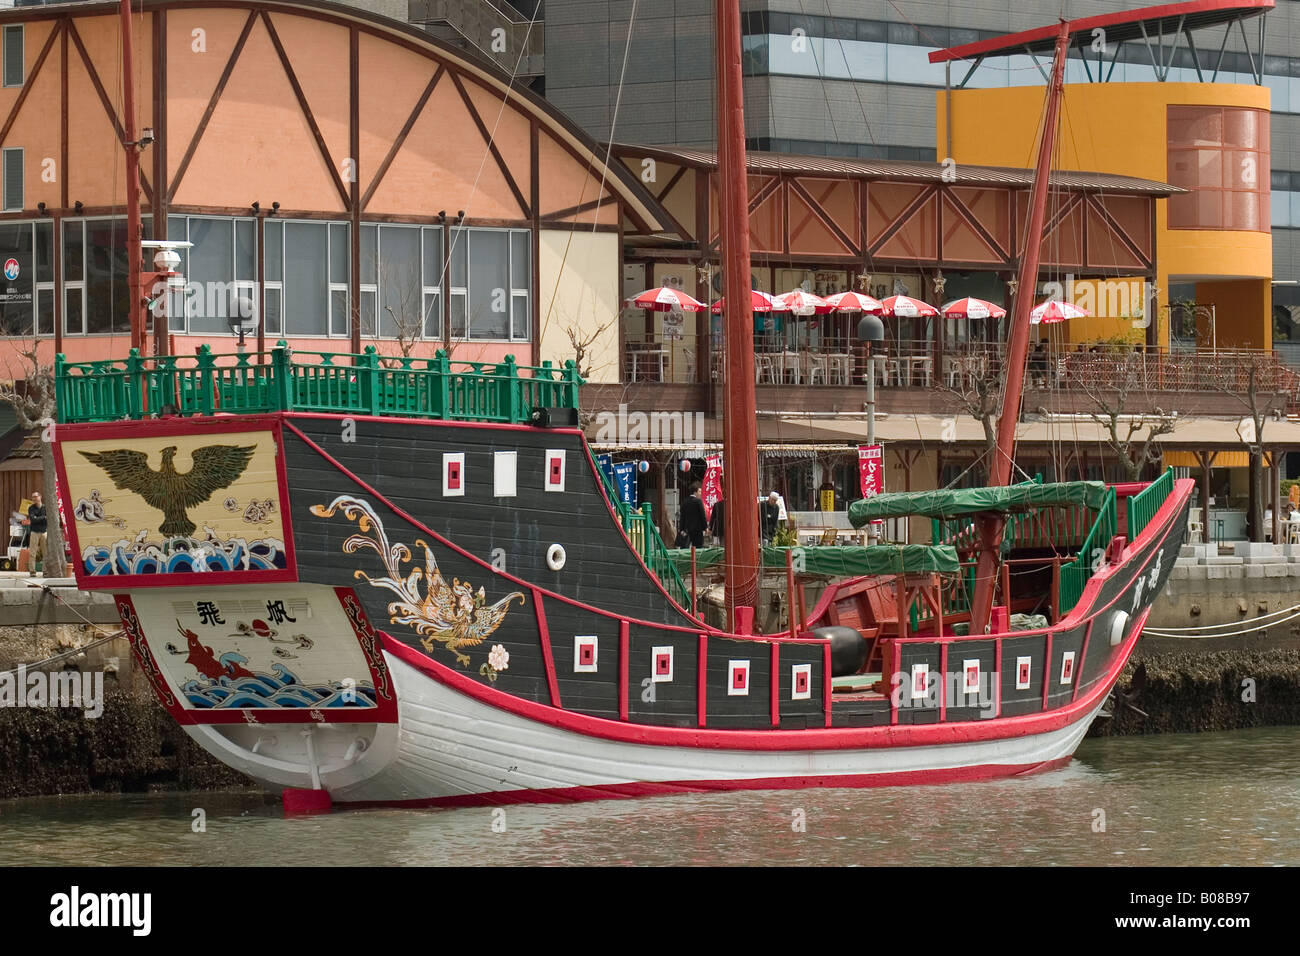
(258, 144)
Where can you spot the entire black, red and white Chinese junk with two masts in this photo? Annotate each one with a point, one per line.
(406, 582)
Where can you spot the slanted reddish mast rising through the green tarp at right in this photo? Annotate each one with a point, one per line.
(993, 525)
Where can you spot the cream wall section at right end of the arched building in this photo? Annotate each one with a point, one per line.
(579, 282)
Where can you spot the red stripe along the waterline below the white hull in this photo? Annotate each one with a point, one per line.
(631, 791)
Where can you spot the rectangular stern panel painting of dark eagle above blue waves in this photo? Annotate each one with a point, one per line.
(183, 504)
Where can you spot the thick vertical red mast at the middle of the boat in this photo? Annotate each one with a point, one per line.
(740, 429)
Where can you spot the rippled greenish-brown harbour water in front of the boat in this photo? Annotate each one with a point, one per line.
(1199, 799)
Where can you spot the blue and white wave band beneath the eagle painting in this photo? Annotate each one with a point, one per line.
(184, 556)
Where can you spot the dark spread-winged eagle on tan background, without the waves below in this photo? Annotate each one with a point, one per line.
(177, 487)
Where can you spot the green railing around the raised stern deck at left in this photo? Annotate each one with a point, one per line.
(285, 380)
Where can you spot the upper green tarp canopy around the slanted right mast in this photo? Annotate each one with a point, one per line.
(968, 501)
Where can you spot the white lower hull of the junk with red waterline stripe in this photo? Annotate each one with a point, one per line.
(450, 749)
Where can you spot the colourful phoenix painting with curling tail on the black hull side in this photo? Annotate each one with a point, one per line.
(456, 615)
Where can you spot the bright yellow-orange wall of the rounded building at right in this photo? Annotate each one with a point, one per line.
(1123, 128)
